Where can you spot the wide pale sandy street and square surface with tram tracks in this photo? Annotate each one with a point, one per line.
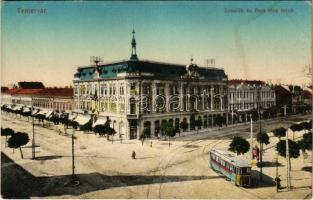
(106, 170)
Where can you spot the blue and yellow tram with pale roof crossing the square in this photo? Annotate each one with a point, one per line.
(235, 168)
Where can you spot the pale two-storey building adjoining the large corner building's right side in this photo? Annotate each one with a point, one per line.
(245, 96)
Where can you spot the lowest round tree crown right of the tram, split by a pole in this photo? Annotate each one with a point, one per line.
(294, 149)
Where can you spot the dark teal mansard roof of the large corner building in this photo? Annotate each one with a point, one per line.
(157, 70)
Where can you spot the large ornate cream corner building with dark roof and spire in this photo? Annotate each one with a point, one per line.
(137, 94)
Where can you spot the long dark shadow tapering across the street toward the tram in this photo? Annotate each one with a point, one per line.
(19, 183)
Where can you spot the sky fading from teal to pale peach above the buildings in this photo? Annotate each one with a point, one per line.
(48, 47)
